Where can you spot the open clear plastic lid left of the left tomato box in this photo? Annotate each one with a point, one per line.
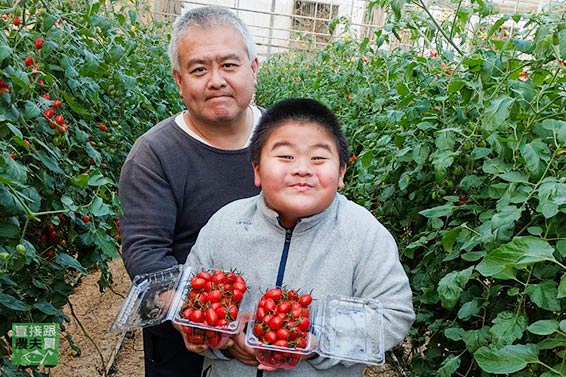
(146, 304)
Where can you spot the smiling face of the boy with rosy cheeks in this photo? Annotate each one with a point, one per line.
(299, 171)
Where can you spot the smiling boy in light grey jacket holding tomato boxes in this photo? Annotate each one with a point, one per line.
(300, 233)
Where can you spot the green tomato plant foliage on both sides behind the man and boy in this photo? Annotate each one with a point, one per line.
(459, 148)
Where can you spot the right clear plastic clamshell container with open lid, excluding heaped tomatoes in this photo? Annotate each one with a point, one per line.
(345, 328)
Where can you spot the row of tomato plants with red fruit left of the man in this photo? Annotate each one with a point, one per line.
(79, 81)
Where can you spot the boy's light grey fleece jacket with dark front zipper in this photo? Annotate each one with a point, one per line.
(343, 250)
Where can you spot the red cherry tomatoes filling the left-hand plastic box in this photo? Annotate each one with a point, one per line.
(213, 300)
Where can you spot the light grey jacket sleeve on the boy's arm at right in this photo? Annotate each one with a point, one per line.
(379, 274)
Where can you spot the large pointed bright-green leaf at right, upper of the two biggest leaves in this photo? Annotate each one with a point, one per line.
(519, 253)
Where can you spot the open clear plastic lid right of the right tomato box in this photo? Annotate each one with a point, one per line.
(351, 329)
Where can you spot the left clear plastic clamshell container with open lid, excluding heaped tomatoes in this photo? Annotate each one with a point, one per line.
(158, 297)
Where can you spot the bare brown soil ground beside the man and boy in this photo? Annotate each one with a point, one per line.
(103, 352)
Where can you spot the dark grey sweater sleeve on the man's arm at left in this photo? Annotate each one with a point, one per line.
(148, 217)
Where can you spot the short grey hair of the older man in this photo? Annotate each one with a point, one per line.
(207, 18)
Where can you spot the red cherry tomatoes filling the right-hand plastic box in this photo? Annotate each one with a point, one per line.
(282, 320)
